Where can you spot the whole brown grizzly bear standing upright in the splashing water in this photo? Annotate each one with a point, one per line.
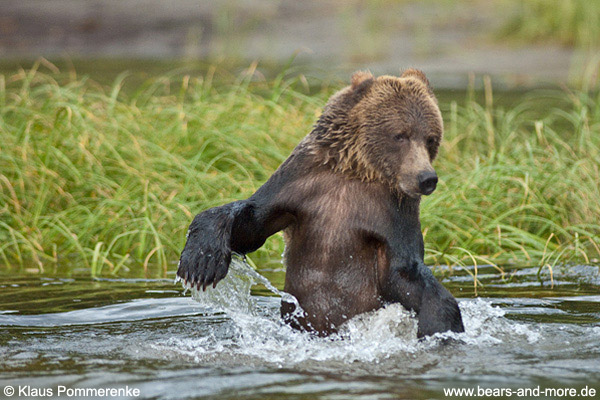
(347, 199)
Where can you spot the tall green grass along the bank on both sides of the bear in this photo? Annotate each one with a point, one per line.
(97, 179)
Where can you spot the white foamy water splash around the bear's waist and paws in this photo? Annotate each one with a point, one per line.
(255, 330)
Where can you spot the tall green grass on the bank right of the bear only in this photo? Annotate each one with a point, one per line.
(519, 185)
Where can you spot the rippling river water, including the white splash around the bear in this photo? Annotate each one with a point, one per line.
(230, 343)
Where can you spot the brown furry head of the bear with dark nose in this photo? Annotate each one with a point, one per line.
(385, 129)
